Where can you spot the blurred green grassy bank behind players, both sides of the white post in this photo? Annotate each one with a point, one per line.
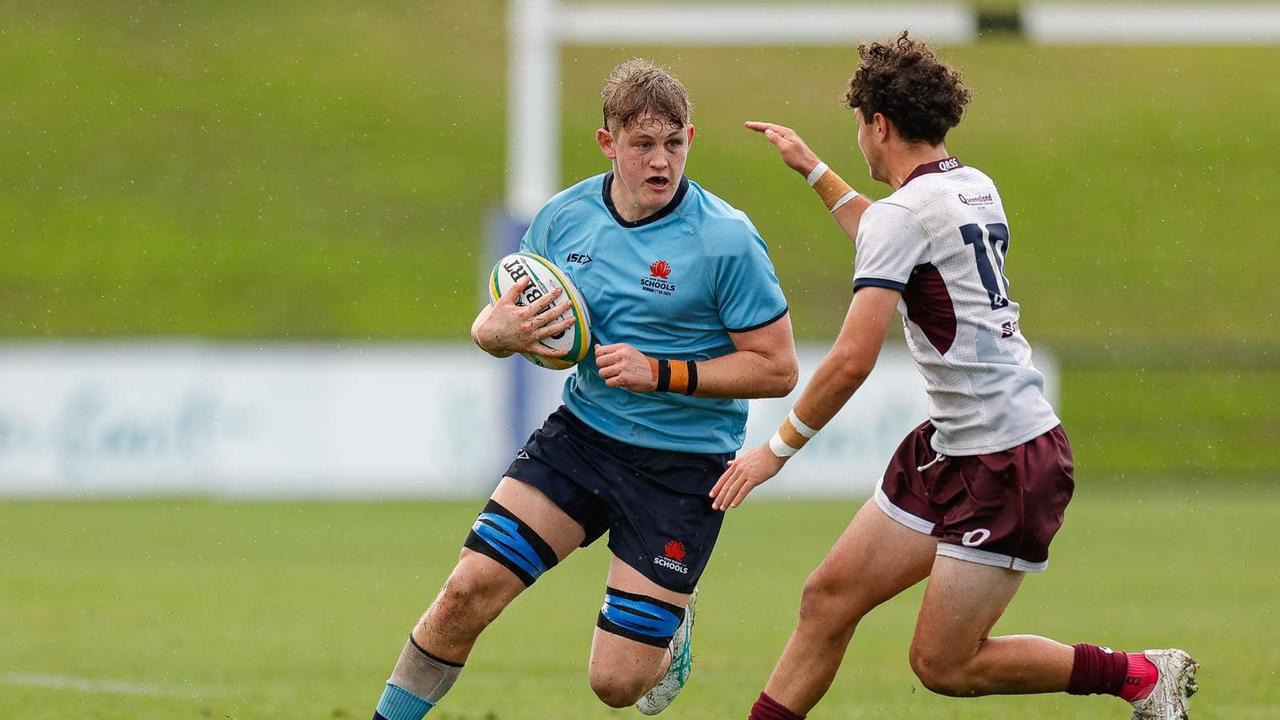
(312, 171)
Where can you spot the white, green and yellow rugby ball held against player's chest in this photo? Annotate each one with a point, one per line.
(577, 341)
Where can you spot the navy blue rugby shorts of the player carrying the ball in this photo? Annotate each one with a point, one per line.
(653, 503)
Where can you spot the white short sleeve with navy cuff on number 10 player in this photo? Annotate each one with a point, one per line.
(890, 245)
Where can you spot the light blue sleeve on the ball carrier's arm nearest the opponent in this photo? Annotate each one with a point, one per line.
(747, 288)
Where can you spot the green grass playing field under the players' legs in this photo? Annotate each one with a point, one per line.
(277, 610)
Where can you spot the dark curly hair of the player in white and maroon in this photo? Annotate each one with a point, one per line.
(904, 81)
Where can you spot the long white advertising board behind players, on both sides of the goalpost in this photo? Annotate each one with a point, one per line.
(371, 421)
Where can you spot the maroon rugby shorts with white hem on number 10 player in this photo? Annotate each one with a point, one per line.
(1000, 509)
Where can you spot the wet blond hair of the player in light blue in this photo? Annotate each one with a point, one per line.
(639, 89)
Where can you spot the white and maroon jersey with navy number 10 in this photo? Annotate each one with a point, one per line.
(941, 240)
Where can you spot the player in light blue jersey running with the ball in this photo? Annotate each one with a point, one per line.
(689, 321)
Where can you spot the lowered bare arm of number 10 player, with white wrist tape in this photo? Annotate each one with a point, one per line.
(840, 375)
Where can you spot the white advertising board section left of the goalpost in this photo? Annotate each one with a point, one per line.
(277, 421)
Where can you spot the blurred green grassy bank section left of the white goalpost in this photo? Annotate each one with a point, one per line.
(245, 170)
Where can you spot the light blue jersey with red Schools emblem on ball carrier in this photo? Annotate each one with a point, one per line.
(673, 285)
